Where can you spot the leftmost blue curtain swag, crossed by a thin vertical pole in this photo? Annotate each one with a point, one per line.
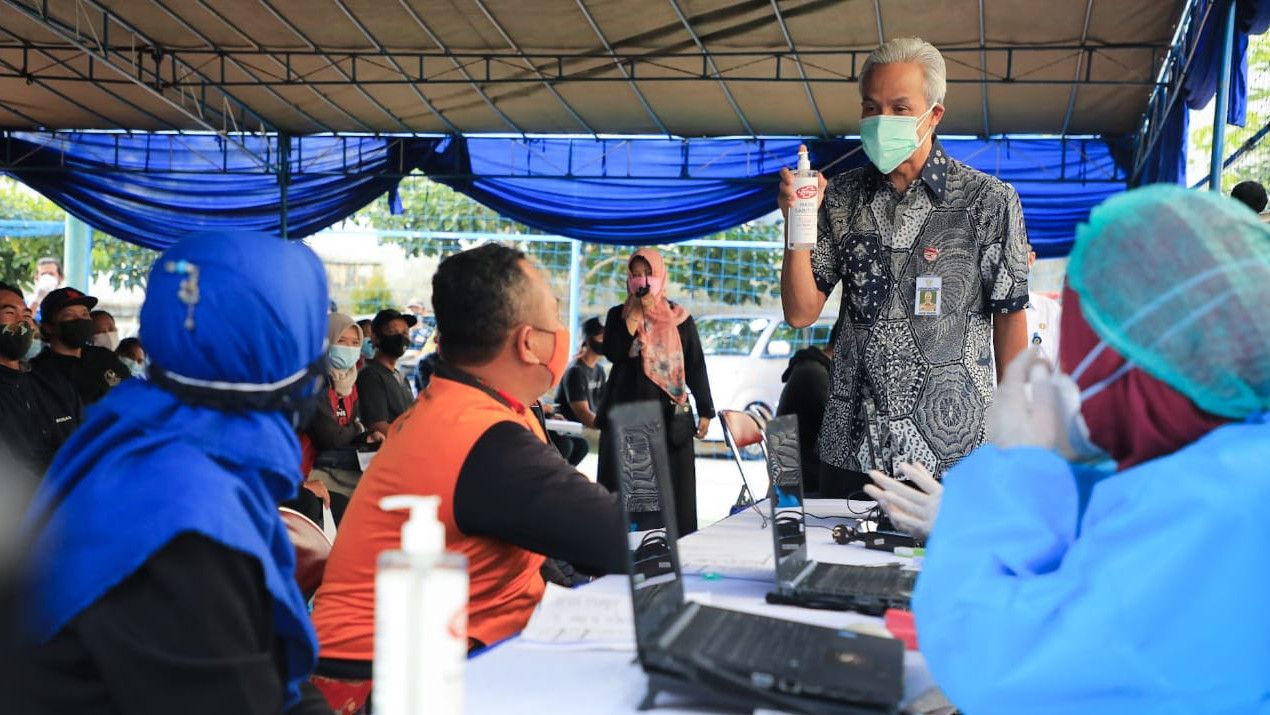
(153, 189)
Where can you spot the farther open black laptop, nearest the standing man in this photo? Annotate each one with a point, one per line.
(801, 581)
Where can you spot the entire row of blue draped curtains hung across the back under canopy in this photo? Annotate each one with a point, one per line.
(152, 190)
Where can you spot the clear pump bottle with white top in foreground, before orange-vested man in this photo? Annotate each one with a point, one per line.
(421, 618)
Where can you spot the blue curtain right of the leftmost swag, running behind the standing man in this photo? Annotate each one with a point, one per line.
(658, 191)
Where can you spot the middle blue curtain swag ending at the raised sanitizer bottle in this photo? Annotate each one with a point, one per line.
(619, 191)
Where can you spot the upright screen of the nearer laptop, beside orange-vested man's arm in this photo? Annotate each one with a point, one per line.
(637, 441)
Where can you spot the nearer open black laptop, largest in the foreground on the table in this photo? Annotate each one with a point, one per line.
(730, 658)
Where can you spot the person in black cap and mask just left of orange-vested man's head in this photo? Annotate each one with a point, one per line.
(383, 392)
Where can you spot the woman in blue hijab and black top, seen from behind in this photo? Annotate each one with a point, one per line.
(162, 578)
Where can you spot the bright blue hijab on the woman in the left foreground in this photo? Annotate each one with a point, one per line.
(242, 317)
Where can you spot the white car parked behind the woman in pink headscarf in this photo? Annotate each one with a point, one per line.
(746, 356)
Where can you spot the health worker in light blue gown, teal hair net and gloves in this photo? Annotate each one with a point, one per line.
(1094, 558)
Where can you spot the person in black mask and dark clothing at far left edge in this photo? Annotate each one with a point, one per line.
(36, 415)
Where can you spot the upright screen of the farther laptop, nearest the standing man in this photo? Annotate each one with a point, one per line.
(785, 472)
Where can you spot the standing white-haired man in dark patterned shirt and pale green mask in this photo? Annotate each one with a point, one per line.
(933, 257)
